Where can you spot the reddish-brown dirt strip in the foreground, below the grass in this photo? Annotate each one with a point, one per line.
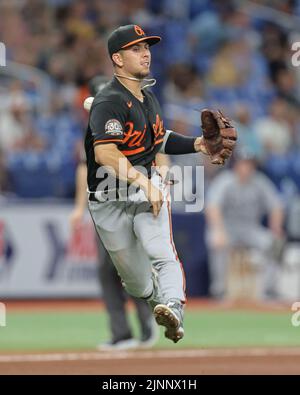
(157, 362)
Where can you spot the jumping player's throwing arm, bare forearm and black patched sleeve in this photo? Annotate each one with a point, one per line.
(107, 123)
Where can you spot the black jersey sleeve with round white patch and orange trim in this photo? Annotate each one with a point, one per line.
(107, 123)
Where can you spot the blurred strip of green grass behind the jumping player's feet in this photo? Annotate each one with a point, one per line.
(45, 331)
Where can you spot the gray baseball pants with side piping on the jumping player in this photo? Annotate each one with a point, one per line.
(137, 242)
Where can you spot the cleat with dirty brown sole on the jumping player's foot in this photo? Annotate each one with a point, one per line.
(165, 316)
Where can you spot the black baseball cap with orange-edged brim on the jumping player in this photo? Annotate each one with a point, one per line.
(125, 36)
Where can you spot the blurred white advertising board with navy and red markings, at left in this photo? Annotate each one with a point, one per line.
(41, 257)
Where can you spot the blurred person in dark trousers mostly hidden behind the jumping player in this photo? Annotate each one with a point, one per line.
(113, 293)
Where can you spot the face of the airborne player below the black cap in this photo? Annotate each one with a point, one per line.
(137, 60)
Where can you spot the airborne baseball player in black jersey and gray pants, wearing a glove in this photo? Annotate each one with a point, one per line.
(127, 198)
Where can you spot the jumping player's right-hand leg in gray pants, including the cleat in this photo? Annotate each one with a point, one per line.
(155, 234)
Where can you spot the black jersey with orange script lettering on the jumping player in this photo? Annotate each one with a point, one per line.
(118, 117)
